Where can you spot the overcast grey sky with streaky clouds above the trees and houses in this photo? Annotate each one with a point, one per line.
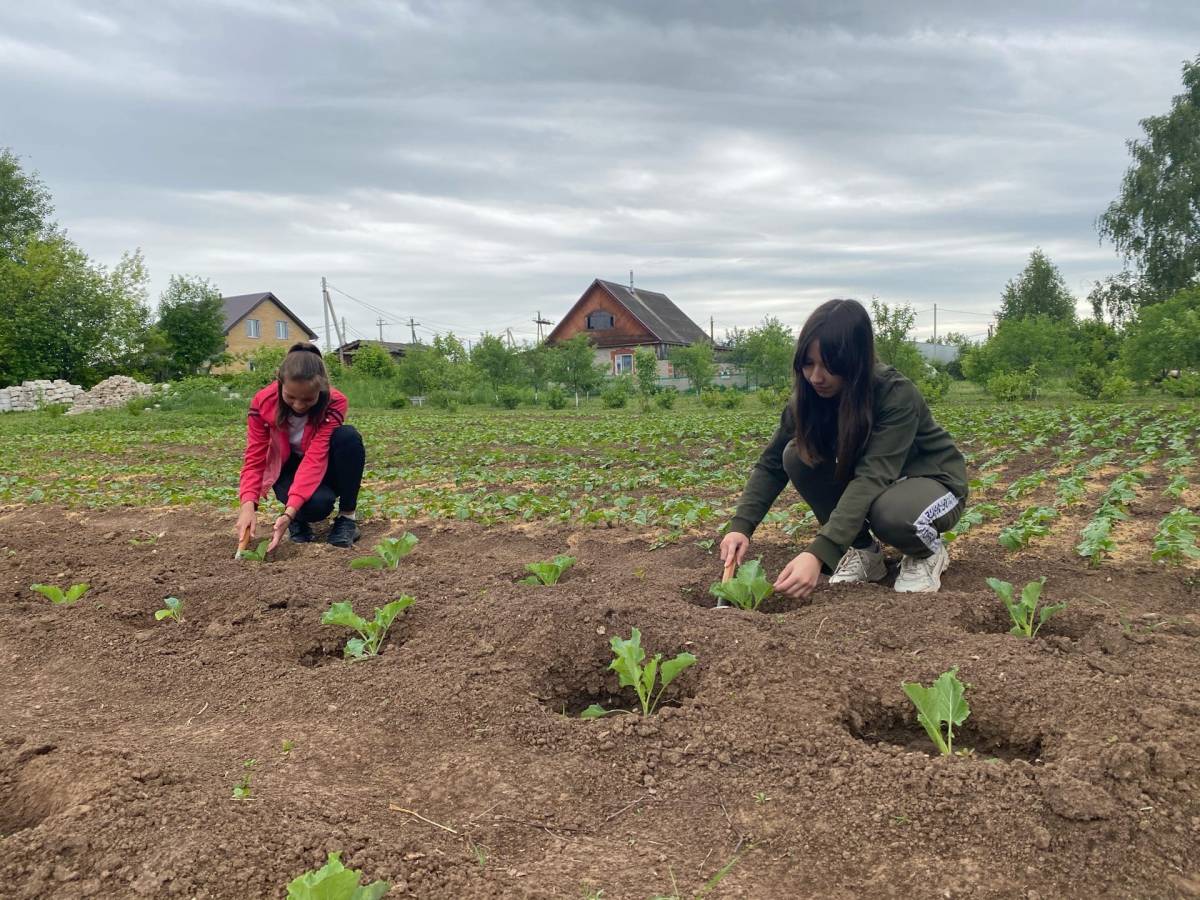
(472, 164)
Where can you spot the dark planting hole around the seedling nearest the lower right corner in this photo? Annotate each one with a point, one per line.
(878, 724)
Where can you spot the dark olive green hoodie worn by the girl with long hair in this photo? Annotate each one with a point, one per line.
(905, 442)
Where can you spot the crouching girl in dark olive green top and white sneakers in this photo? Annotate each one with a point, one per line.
(861, 446)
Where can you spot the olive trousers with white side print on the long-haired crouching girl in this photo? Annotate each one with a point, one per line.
(909, 515)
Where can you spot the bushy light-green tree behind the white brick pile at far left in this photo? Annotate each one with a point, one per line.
(65, 317)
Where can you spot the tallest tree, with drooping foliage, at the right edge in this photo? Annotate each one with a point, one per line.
(1155, 223)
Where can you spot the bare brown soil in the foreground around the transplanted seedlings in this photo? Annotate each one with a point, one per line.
(447, 765)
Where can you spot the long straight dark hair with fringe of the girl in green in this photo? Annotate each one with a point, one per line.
(839, 427)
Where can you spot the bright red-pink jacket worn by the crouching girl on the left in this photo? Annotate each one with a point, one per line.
(268, 448)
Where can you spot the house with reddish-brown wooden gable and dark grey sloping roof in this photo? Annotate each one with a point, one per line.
(620, 320)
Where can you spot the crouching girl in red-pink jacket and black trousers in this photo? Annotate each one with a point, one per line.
(298, 446)
